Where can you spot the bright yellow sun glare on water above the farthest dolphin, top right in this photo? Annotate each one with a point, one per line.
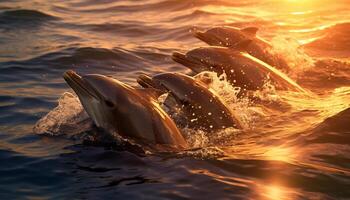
(302, 20)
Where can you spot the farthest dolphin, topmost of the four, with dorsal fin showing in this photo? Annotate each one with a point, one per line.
(243, 40)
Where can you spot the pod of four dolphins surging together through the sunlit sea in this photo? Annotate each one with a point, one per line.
(135, 112)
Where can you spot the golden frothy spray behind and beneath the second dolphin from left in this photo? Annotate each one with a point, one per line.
(242, 108)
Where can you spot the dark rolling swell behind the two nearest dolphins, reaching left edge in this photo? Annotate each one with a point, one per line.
(117, 62)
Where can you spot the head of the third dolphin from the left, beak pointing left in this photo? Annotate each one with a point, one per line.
(205, 58)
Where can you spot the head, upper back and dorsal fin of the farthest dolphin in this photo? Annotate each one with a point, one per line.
(226, 36)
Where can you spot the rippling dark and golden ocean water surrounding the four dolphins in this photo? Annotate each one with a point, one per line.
(297, 146)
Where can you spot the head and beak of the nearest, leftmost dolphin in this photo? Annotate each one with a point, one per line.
(99, 95)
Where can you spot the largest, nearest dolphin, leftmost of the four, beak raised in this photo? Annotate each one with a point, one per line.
(132, 113)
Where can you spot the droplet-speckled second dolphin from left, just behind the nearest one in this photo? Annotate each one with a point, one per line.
(203, 108)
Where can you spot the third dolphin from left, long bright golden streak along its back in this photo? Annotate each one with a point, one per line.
(241, 68)
